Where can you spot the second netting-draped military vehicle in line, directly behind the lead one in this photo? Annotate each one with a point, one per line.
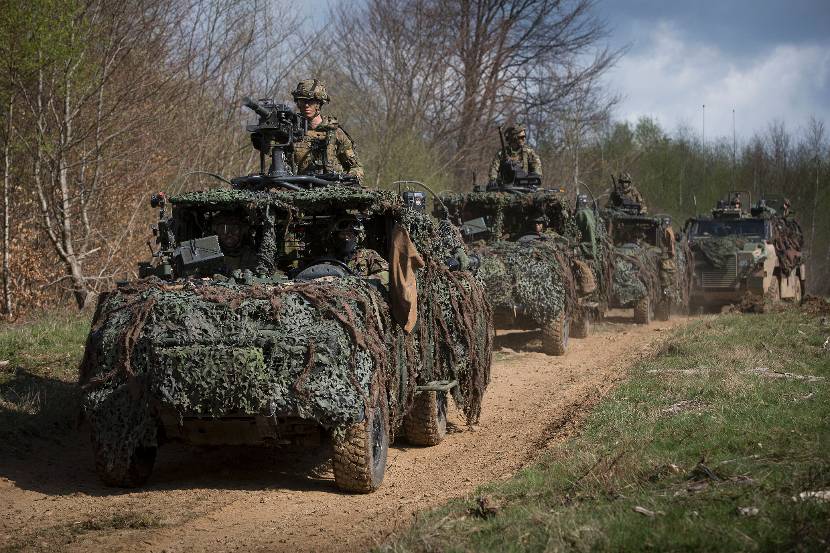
(528, 246)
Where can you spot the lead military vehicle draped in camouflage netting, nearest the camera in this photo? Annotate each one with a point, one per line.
(277, 340)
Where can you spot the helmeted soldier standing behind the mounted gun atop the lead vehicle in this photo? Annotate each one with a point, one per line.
(326, 147)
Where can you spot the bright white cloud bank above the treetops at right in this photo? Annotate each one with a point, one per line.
(669, 77)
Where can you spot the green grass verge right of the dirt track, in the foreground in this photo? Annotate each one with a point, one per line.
(692, 437)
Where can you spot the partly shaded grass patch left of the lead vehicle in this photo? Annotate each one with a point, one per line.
(38, 391)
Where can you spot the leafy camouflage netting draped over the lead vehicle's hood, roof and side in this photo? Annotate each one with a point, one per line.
(211, 348)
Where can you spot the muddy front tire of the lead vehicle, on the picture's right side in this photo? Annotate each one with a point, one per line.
(360, 455)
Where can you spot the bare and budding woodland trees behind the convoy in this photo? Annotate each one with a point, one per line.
(102, 104)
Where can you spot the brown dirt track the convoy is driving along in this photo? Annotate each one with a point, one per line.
(251, 499)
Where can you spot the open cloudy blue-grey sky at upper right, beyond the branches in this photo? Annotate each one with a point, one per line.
(766, 59)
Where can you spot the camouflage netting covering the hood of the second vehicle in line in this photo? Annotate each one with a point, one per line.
(533, 276)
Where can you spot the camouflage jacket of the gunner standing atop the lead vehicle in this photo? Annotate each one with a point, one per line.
(325, 149)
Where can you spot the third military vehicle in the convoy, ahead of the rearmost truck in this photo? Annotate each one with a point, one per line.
(651, 269)
